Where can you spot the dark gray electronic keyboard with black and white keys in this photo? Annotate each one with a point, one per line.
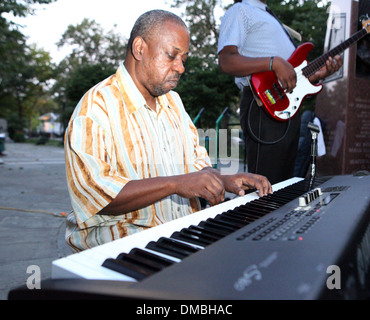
(310, 239)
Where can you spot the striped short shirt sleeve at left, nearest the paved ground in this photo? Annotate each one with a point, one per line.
(92, 180)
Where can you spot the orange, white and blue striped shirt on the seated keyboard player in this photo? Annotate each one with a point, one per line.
(114, 137)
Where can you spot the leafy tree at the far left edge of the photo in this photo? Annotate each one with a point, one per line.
(24, 70)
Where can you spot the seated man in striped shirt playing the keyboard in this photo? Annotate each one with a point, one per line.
(133, 158)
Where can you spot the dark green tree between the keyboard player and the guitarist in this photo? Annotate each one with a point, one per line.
(202, 84)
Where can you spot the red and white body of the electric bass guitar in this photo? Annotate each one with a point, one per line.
(277, 103)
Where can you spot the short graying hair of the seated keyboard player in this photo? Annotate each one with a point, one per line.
(146, 25)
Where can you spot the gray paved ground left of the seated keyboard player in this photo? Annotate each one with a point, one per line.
(33, 196)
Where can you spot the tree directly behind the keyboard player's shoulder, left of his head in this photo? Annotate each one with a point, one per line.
(95, 55)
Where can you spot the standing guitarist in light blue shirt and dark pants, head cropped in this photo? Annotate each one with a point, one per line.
(252, 40)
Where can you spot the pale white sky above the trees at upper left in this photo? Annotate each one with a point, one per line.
(50, 21)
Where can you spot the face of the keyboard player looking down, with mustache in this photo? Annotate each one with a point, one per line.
(164, 59)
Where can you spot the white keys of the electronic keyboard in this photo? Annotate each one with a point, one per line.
(88, 264)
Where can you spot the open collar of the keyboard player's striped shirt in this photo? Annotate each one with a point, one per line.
(132, 96)
